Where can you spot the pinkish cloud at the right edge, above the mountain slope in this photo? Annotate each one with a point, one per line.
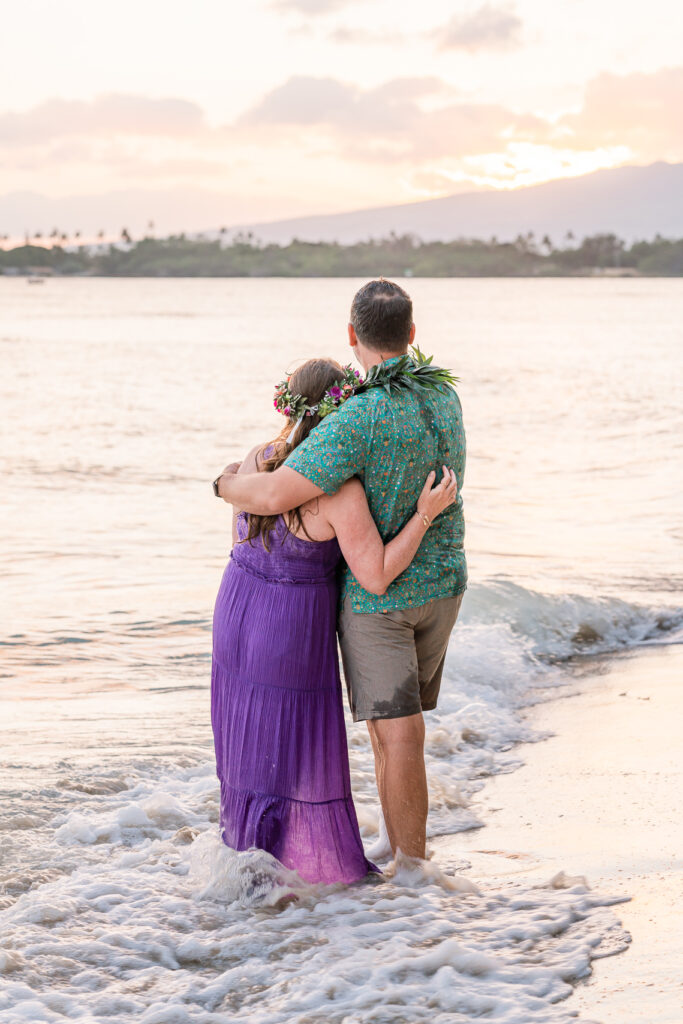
(639, 110)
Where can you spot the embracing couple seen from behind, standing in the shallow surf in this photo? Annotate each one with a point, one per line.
(351, 522)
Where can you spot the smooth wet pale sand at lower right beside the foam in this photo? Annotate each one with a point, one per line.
(602, 799)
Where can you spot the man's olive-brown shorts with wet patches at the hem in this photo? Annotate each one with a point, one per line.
(394, 661)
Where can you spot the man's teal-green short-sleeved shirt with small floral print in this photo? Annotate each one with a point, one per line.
(392, 443)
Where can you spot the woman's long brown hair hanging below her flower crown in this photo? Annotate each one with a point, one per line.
(311, 380)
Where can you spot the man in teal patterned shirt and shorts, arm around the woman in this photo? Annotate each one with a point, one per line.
(394, 646)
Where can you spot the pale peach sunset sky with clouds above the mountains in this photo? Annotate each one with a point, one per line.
(217, 113)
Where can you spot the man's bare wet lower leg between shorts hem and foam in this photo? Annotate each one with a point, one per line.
(402, 781)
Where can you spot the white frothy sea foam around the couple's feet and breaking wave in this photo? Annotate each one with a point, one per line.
(138, 912)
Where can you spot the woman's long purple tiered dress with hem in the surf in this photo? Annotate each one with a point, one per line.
(277, 709)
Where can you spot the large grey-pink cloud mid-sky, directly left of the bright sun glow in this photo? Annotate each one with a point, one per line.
(404, 119)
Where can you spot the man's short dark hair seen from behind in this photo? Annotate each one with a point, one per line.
(382, 316)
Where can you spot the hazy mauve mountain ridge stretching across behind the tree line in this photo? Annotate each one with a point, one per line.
(633, 202)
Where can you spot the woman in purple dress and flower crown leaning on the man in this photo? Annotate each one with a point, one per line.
(276, 700)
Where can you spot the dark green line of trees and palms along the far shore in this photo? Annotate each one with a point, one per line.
(245, 257)
